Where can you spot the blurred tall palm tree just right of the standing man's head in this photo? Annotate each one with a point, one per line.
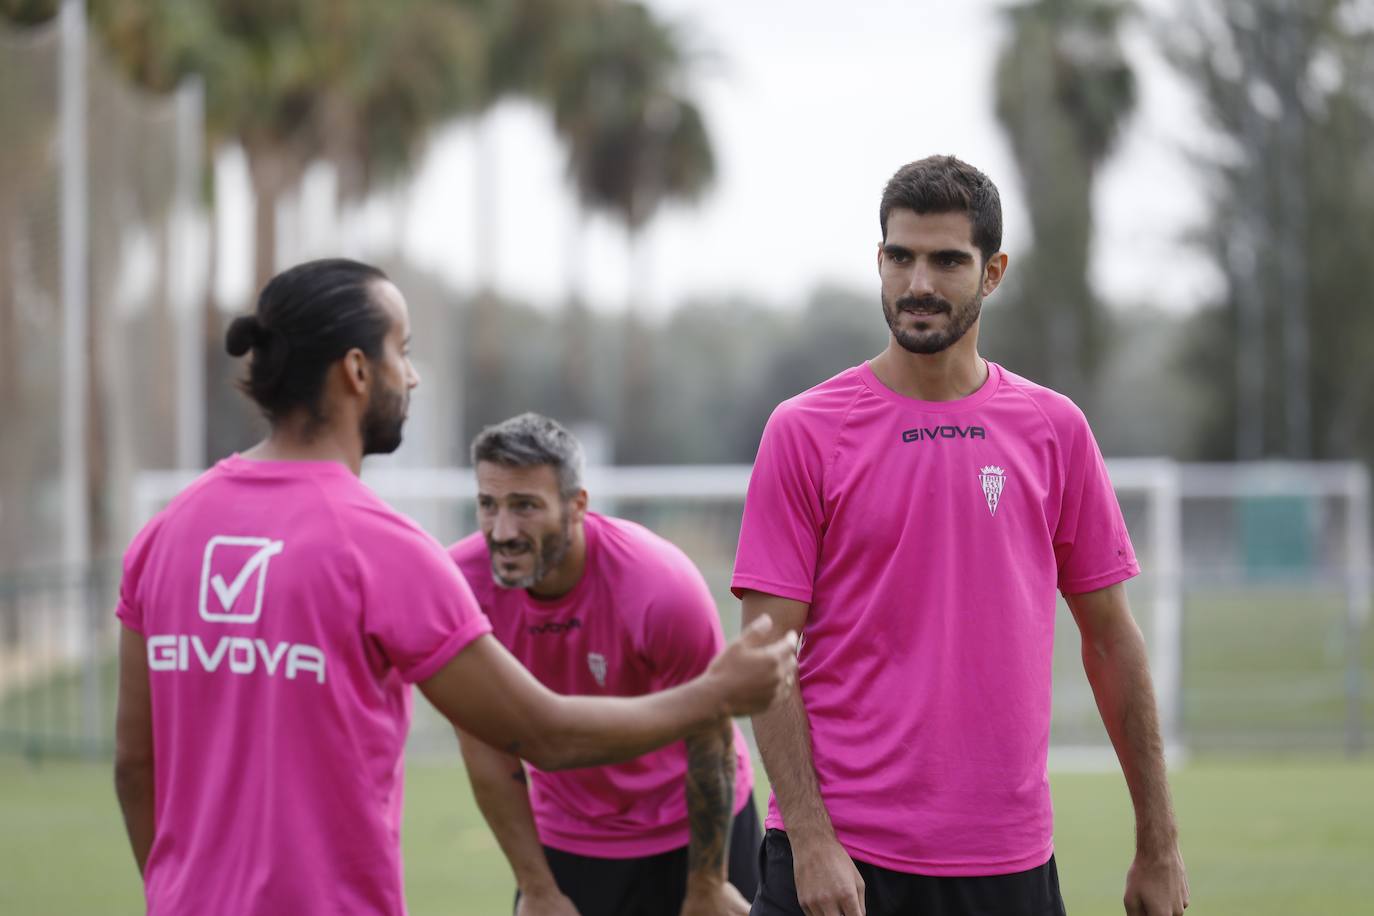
(1064, 91)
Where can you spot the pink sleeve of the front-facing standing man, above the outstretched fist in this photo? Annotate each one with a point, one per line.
(780, 535)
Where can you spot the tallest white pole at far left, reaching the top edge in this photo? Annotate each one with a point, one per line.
(76, 523)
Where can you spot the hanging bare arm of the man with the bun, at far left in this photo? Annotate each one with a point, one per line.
(134, 745)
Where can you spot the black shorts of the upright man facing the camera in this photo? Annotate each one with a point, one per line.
(888, 893)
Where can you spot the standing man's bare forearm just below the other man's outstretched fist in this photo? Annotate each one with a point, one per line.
(784, 735)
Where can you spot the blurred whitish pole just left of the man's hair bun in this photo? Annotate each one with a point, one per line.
(188, 259)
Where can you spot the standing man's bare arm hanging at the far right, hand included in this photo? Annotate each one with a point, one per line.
(1119, 671)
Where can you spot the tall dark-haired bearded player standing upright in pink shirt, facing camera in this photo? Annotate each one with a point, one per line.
(913, 518)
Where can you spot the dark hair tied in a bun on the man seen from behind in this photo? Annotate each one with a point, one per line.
(307, 319)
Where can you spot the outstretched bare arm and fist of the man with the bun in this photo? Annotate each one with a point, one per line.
(487, 693)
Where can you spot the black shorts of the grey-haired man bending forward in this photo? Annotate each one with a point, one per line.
(652, 885)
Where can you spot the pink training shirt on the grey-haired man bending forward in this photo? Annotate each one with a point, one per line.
(641, 620)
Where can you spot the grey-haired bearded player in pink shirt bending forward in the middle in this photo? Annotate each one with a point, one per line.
(600, 606)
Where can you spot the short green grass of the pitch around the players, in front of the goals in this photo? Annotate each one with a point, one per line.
(1261, 838)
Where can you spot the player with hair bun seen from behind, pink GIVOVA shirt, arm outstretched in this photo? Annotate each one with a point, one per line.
(277, 613)
